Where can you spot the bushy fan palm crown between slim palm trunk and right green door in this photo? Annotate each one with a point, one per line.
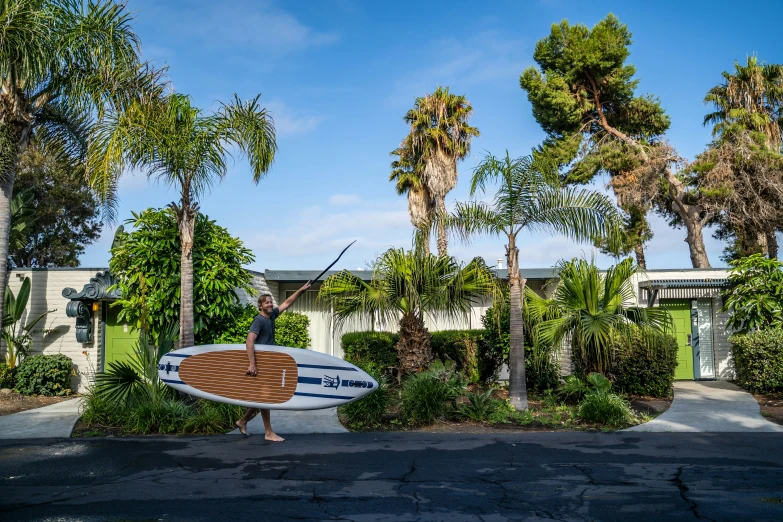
(592, 308)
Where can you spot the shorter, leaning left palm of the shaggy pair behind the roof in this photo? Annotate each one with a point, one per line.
(407, 173)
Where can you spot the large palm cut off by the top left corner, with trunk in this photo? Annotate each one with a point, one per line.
(62, 63)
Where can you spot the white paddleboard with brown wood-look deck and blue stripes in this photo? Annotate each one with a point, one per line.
(288, 378)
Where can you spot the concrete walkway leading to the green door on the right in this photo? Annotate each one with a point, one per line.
(714, 406)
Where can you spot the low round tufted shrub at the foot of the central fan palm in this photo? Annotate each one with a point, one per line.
(424, 398)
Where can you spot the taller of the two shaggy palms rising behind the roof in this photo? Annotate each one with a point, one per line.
(439, 137)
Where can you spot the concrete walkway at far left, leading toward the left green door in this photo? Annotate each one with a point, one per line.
(55, 420)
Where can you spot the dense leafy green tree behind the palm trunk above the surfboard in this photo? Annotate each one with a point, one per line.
(146, 261)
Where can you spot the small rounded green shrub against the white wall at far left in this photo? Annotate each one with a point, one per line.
(44, 375)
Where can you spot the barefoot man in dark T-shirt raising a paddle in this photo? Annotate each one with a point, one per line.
(262, 331)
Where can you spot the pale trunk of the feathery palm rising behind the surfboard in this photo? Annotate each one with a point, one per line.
(186, 219)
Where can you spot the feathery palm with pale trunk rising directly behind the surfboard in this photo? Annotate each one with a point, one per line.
(176, 143)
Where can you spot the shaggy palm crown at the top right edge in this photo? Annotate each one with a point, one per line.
(749, 99)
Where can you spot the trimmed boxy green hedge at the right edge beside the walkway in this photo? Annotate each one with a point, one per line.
(758, 358)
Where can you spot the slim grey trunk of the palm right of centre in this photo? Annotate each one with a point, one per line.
(517, 382)
